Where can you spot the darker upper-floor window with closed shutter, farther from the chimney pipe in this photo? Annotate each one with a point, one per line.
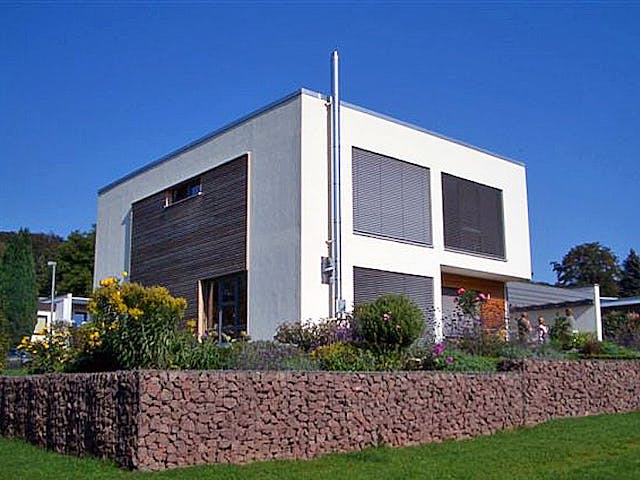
(473, 217)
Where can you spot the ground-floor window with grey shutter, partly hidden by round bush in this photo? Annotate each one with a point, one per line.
(369, 284)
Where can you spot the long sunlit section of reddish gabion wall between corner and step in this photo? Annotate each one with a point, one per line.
(191, 418)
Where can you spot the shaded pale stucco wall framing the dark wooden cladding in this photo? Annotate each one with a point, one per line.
(272, 140)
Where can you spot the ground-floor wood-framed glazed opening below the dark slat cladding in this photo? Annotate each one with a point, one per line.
(225, 301)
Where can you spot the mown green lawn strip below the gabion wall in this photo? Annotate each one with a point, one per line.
(604, 447)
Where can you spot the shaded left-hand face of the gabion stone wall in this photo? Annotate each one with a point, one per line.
(83, 414)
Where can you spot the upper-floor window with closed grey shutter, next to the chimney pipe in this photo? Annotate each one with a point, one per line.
(391, 198)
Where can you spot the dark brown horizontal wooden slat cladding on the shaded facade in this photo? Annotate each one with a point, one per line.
(198, 238)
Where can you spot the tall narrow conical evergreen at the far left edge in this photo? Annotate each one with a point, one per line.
(18, 286)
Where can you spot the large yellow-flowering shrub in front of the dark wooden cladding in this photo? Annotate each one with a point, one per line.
(138, 324)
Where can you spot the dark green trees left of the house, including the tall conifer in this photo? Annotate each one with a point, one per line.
(25, 276)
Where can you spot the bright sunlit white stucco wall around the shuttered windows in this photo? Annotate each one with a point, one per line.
(380, 135)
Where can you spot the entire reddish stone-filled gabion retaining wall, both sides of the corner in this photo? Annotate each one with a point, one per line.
(154, 420)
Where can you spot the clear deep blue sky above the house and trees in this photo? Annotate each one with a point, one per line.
(89, 93)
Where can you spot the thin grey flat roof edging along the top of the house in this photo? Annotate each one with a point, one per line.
(277, 103)
